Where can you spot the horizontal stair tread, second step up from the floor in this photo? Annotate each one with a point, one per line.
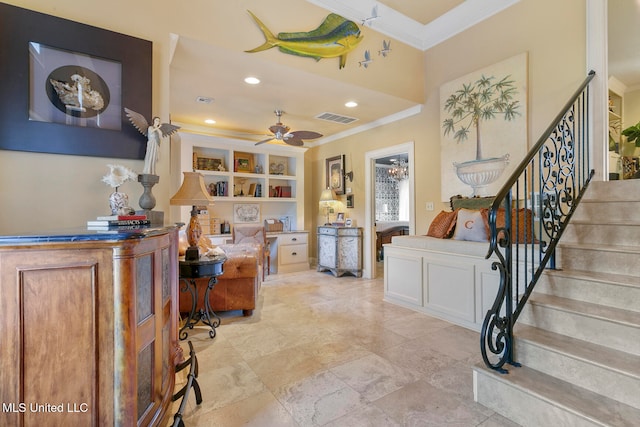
(600, 355)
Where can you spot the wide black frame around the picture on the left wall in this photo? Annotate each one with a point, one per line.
(19, 27)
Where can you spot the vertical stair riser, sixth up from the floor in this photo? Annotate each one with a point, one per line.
(602, 234)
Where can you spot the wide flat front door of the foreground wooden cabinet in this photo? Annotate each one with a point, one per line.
(57, 343)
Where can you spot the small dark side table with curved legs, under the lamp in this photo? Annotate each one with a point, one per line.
(189, 271)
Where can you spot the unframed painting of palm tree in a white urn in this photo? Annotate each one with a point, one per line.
(487, 107)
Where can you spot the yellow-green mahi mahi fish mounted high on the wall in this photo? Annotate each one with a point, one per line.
(335, 37)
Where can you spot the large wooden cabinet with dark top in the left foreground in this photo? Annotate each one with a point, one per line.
(88, 328)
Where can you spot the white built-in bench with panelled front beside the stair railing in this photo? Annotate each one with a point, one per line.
(445, 278)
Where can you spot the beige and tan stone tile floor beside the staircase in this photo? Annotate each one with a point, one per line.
(325, 351)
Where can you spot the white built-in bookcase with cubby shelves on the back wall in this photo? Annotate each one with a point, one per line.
(237, 172)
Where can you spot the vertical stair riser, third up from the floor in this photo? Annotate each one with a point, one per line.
(598, 331)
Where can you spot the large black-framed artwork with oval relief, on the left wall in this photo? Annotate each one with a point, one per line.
(65, 86)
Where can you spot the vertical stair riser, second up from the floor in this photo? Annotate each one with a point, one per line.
(612, 384)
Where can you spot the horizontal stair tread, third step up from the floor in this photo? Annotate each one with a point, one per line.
(618, 315)
